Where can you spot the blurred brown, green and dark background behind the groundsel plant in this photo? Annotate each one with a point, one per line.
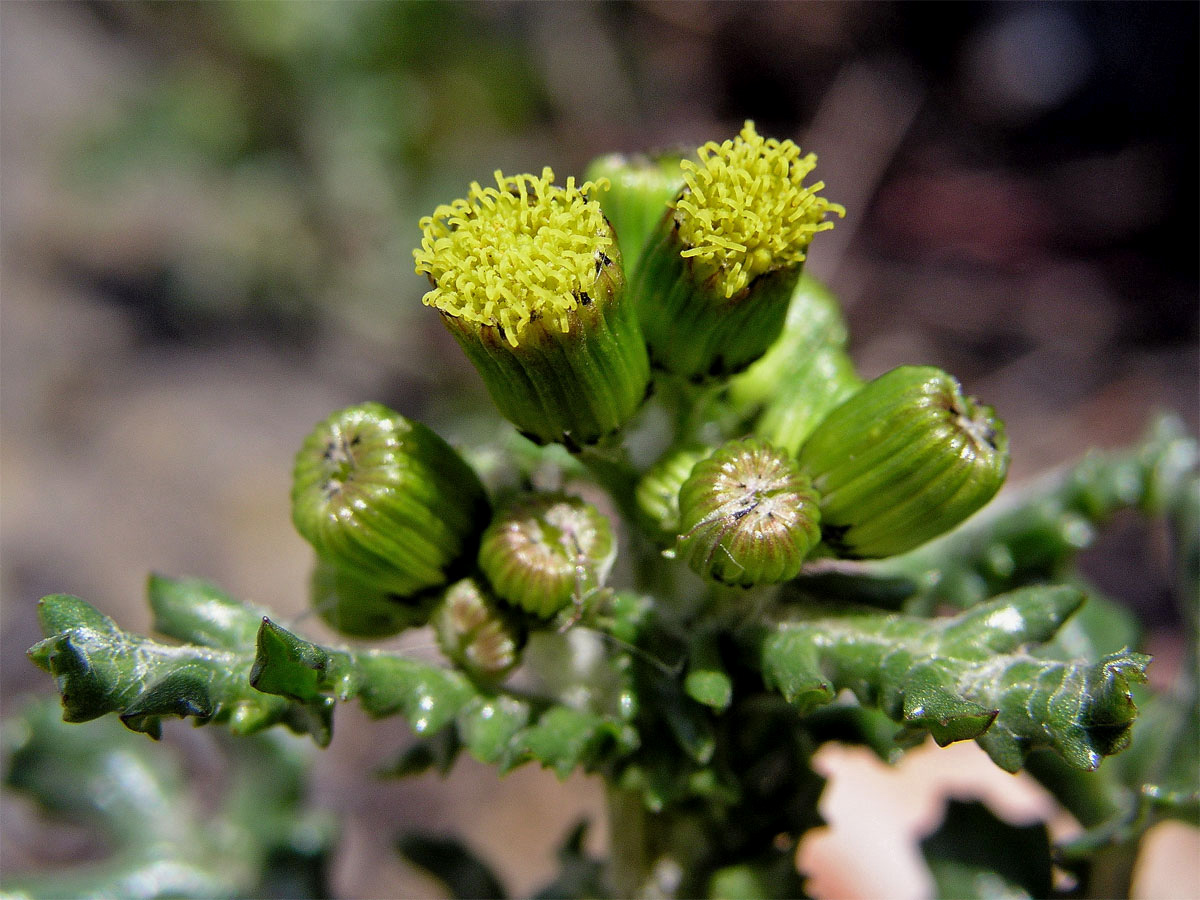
(208, 213)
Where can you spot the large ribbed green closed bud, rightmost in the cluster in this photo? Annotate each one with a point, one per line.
(904, 460)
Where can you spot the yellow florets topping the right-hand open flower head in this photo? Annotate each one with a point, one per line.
(745, 209)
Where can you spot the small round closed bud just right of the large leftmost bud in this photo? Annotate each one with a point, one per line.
(545, 550)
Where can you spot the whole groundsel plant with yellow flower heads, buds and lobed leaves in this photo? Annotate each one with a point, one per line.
(764, 551)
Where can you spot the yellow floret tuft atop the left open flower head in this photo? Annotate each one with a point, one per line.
(524, 250)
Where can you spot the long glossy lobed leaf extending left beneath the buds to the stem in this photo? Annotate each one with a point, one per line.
(283, 679)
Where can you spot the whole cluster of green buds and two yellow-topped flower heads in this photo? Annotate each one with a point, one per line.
(571, 325)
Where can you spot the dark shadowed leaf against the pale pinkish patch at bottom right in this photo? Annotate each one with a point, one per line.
(975, 855)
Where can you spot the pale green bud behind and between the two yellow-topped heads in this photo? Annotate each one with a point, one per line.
(637, 197)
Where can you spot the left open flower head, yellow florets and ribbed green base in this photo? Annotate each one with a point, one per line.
(527, 278)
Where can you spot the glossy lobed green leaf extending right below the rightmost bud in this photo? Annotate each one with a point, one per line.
(964, 677)
